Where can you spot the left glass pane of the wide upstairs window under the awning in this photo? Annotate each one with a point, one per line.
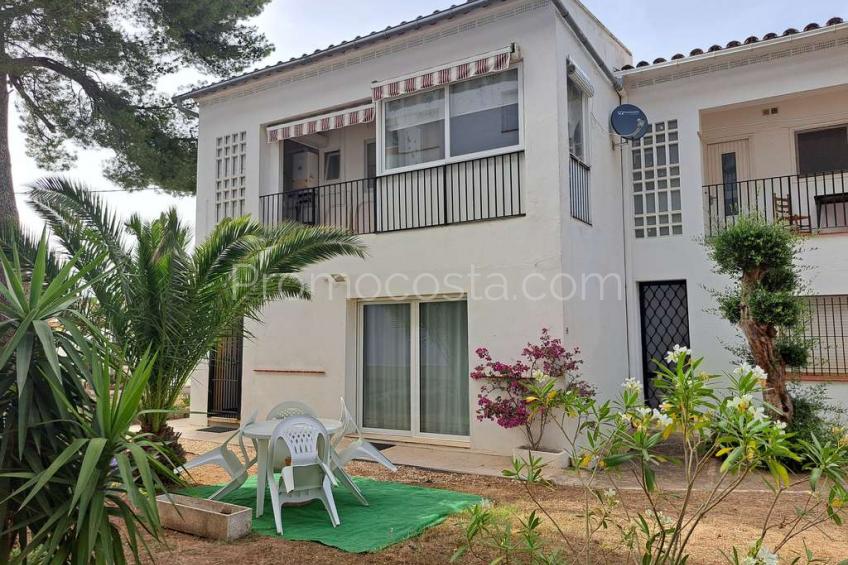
(415, 129)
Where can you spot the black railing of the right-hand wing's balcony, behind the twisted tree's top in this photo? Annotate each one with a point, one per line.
(807, 203)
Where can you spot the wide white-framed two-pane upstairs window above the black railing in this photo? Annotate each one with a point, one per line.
(470, 118)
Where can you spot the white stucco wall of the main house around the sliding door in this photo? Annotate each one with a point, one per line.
(308, 350)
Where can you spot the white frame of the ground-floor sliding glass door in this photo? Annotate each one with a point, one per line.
(415, 370)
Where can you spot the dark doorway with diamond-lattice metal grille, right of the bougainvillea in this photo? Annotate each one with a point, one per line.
(665, 323)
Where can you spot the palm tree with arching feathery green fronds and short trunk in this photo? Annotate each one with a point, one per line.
(154, 294)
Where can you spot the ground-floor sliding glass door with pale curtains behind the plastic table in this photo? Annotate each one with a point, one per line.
(414, 367)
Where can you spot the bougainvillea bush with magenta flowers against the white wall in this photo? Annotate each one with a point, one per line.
(505, 397)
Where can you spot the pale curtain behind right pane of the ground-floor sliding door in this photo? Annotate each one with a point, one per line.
(444, 368)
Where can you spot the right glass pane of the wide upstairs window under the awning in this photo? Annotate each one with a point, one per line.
(484, 113)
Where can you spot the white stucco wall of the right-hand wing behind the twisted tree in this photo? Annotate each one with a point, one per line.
(722, 102)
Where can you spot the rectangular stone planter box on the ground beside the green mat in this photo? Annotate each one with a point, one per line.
(204, 518)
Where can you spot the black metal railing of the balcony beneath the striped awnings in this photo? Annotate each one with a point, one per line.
(480, 189)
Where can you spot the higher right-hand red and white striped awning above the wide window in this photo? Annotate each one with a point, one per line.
(486, 63)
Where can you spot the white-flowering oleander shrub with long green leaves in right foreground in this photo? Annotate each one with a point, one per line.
(722, 424)
